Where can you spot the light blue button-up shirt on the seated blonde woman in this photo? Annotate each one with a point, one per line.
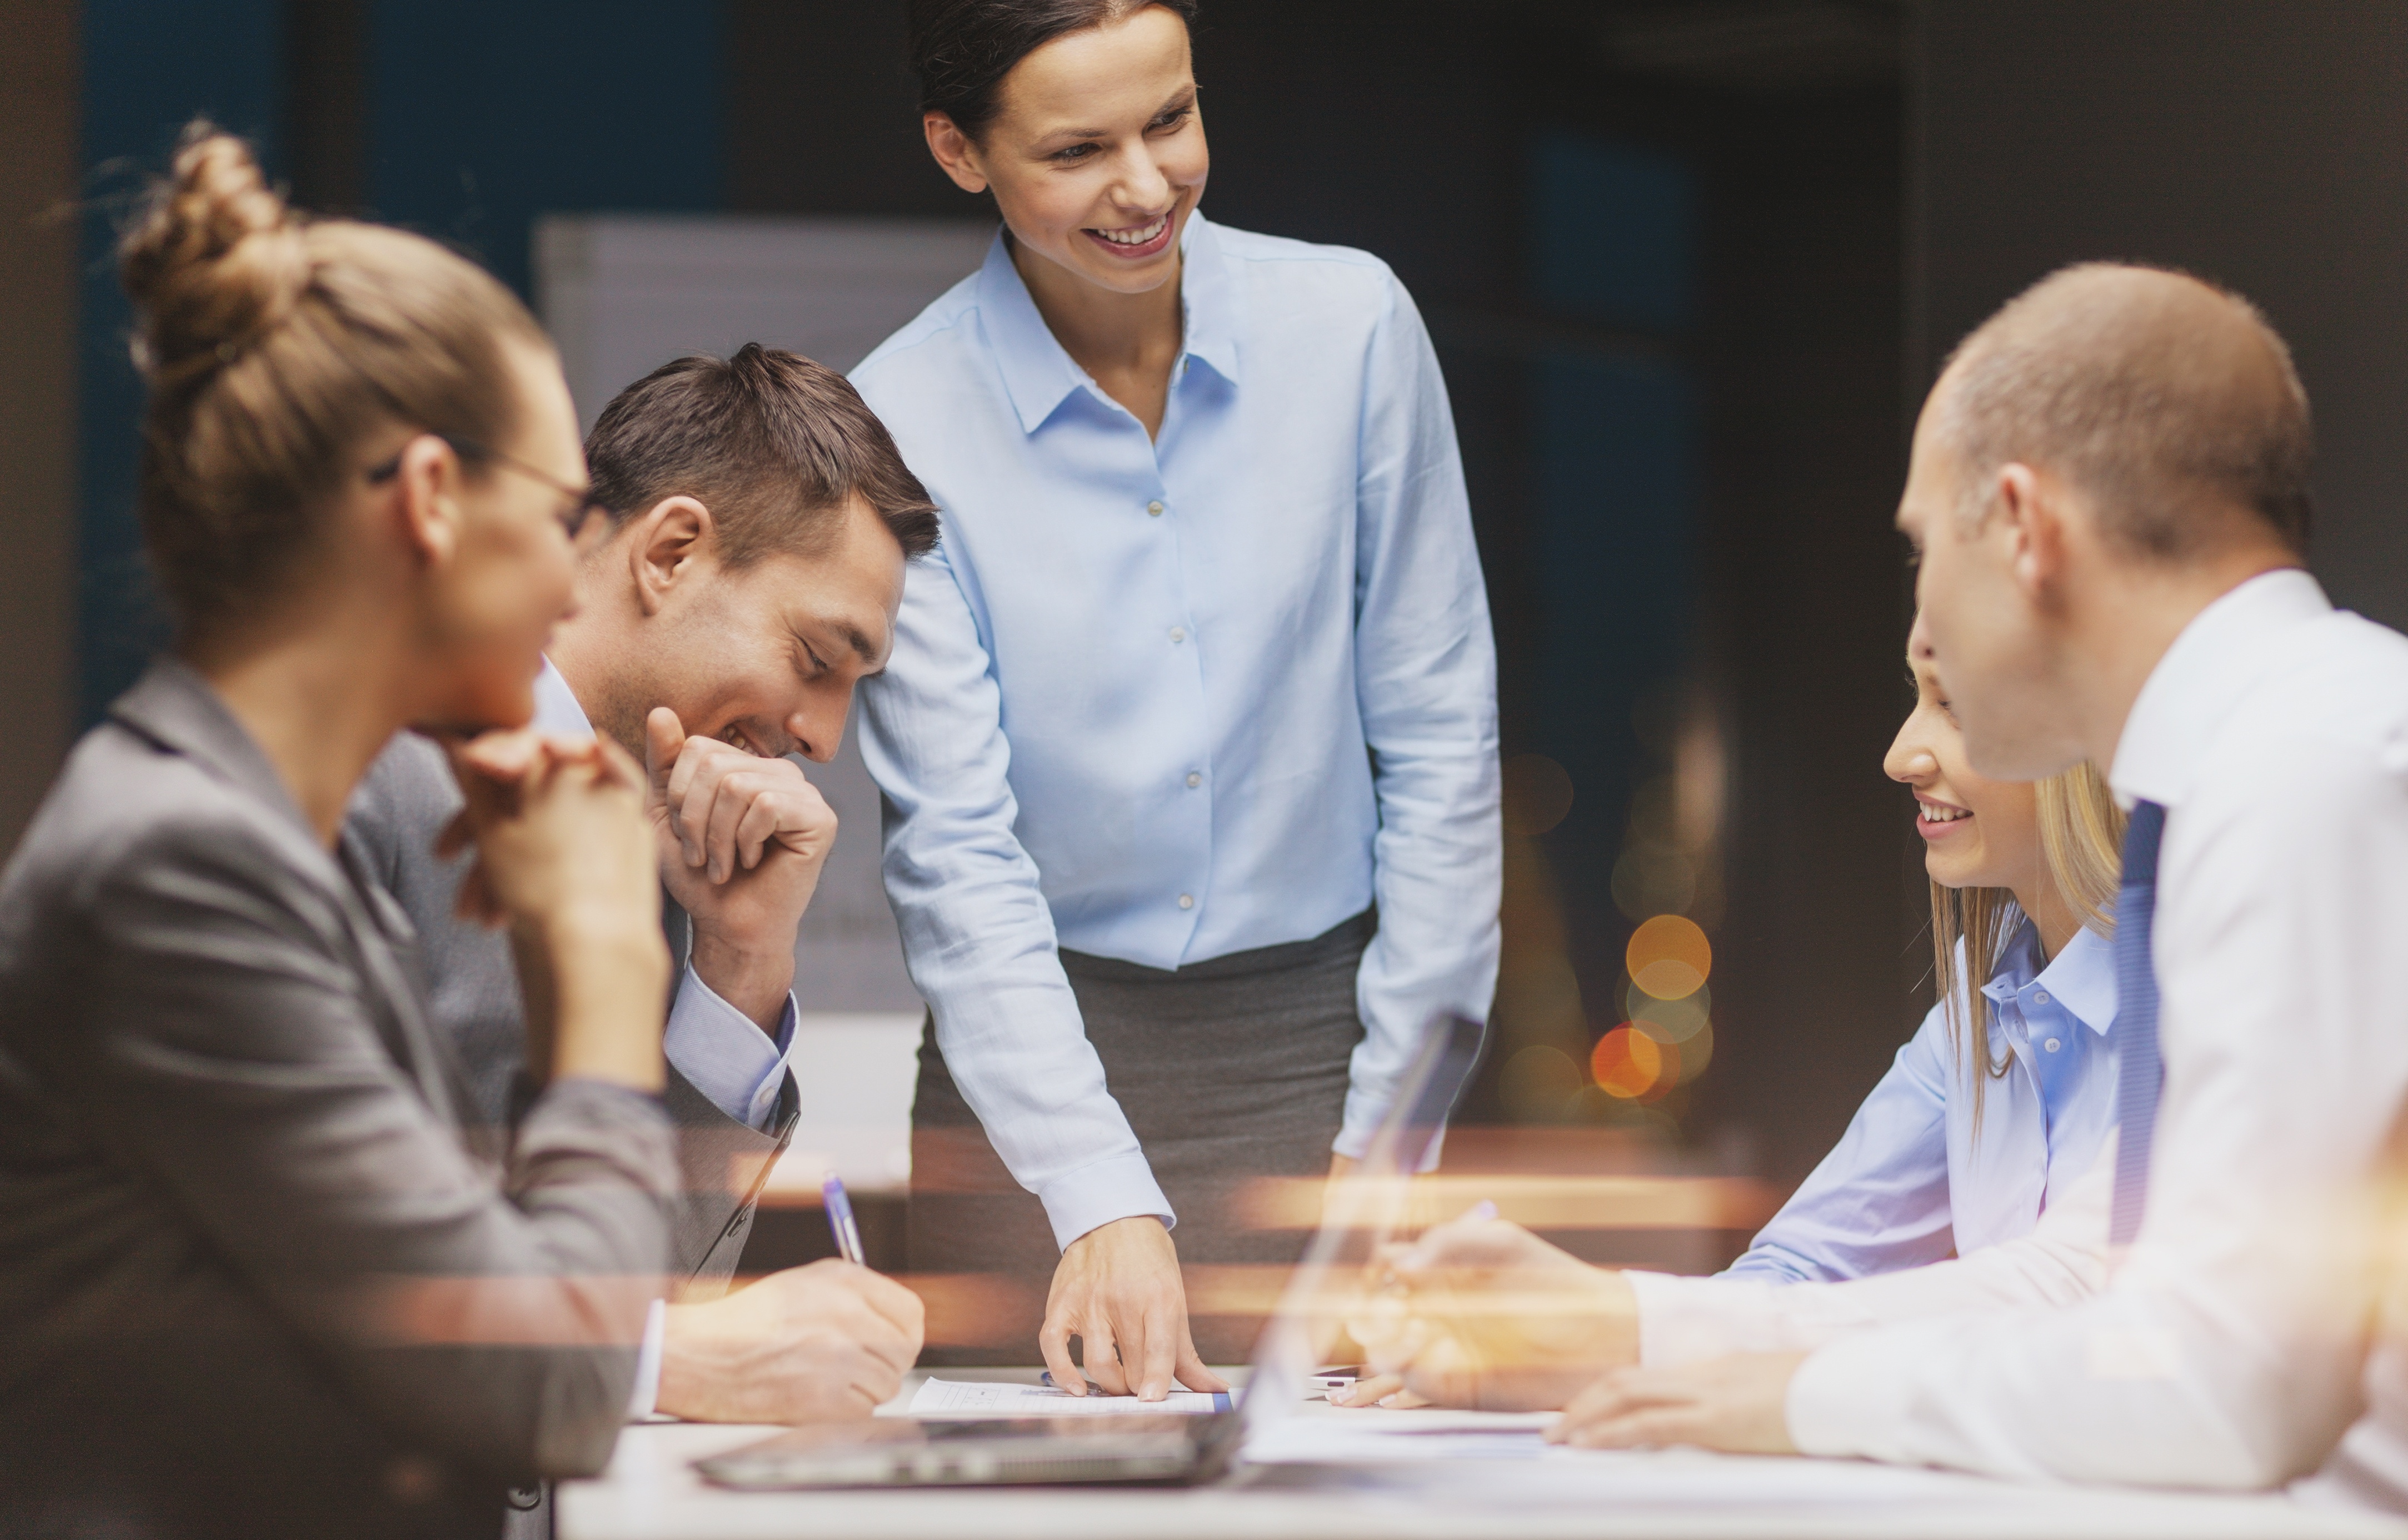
(1913, 1180)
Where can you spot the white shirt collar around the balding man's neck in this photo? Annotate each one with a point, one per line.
(2200, 680)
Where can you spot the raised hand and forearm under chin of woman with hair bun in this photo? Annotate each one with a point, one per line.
(565, 858)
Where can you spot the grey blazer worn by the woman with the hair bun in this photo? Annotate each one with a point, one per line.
(252, 1274)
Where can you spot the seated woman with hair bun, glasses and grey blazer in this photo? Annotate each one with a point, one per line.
(254, 1279)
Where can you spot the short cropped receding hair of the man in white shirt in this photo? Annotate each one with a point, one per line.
(2156, 393)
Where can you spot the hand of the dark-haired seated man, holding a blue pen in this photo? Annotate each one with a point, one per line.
(818, 1344)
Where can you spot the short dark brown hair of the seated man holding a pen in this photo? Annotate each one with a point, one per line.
(769, 442)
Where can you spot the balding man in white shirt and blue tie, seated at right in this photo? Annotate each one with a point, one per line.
(2111, 502)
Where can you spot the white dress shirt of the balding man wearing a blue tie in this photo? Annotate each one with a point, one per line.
(2226, 1346)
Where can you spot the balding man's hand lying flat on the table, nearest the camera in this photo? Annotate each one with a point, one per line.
(1733, 1404)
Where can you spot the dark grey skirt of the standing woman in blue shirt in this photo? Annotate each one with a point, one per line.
(1229, 1072)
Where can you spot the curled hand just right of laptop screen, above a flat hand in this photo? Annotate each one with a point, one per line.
(1487, 1315)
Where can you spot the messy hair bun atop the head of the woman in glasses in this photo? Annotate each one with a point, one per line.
(213, 263)
